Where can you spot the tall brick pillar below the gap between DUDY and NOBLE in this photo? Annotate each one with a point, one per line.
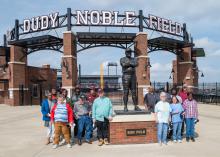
(69, 62)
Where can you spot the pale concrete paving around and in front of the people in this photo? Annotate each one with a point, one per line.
(22, 135)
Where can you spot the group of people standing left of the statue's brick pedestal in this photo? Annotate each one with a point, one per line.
(64, 116)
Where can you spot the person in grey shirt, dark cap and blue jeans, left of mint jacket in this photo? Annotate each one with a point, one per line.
(81, 111)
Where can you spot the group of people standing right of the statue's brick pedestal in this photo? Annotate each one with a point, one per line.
(173, 112)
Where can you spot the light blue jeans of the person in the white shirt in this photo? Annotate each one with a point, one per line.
(162, 132)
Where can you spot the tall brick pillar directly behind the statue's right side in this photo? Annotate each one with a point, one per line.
(142, 70)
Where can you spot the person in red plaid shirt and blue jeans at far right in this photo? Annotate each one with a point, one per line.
(191, 116)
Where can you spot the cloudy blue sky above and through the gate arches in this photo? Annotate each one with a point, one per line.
(202, 19)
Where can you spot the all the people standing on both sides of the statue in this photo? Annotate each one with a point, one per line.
(65, 117)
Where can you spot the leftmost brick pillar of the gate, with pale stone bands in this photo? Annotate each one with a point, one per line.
(17, 72)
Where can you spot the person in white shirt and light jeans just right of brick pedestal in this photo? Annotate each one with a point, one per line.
(162, 115)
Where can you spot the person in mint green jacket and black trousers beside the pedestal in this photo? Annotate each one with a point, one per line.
(102, 114)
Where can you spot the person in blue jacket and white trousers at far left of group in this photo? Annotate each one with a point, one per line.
(46, 108)
